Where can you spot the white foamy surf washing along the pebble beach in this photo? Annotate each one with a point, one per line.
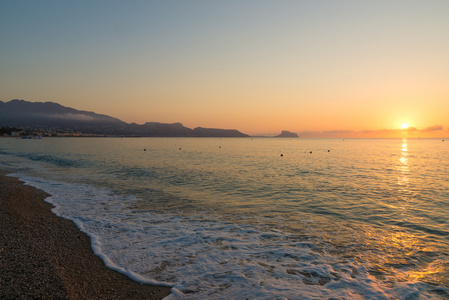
(203, 257)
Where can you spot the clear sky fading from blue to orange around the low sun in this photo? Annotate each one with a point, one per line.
(324, 68)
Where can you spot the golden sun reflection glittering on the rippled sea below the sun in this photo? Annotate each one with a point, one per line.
(398, 253)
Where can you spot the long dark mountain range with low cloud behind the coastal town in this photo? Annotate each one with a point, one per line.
(49, 115)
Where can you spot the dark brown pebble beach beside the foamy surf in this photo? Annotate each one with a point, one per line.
(46, 256)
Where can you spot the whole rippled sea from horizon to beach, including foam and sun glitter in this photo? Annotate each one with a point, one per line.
(233, 219)
